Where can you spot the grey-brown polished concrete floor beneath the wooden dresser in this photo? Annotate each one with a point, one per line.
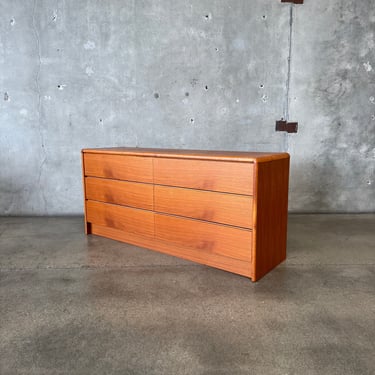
(71, 304)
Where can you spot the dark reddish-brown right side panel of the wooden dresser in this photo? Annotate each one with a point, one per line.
(271, 216)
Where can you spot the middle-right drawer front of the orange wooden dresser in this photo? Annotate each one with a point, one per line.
(222, 208)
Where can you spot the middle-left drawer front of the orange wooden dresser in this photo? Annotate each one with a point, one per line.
(133, 194)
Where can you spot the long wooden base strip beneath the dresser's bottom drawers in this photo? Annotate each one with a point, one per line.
(210, 259)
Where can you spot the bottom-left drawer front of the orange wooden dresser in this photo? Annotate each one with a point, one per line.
(129, 220)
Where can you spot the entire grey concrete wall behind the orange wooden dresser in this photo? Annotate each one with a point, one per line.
(186, 74)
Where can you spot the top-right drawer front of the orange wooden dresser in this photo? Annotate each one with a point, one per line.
(221, 176)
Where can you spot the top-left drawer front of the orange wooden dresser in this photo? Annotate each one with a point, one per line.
(120, 167)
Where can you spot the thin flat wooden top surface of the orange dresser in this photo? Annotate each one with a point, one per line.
(240, 156)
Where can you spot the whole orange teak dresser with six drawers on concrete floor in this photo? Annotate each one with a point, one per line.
(224, 209)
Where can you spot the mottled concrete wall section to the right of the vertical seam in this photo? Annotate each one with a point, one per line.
(332, 95)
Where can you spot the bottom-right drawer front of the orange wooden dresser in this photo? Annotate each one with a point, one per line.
(206, 237)
